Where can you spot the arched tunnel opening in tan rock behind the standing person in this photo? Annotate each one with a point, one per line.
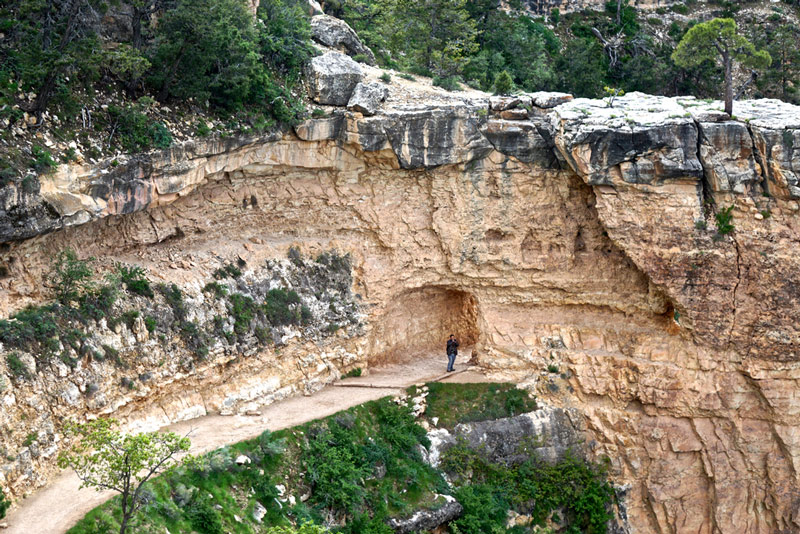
(418, 322)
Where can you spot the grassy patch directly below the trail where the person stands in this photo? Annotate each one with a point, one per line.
(463, 403)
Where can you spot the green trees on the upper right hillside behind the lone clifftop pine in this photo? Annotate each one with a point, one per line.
(580, 53)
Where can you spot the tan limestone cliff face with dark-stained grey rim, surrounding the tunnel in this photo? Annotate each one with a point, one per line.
(550, 231)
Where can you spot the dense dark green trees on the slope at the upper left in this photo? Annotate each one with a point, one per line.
(205, 57)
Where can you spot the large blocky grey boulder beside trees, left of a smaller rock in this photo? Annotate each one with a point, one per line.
(332, 77)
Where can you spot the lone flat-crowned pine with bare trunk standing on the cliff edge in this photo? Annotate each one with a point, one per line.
(717, 40)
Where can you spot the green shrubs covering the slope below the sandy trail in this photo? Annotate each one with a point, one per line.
(358, 468)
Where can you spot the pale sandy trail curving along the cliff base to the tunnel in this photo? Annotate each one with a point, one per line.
(57, 507)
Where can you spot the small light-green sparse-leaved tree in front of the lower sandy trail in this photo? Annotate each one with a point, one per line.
(107, 459)
